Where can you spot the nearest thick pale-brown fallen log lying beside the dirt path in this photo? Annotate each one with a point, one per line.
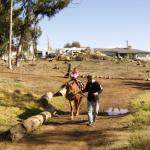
(22, 129)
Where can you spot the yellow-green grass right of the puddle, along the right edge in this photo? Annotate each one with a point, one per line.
(140, 123)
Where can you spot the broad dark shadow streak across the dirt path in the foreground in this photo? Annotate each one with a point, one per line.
(92, 137)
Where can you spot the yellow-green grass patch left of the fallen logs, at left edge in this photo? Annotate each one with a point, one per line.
(14, 102)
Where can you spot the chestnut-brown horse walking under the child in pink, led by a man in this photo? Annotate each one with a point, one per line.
(72, 92)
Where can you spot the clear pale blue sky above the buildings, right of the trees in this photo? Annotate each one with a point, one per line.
(99, 24)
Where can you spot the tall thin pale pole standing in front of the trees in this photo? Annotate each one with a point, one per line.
(10, 36)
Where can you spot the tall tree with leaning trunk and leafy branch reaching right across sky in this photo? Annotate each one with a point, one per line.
(32, 12)
